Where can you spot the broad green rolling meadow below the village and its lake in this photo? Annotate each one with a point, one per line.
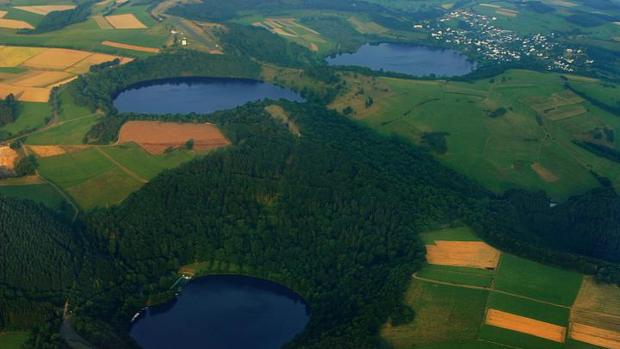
(514, 130)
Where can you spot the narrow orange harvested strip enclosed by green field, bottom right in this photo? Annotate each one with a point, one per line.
(525, 325)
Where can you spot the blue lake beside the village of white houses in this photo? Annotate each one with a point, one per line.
(408, 59)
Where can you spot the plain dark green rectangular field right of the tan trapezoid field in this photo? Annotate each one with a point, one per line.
(538, 281)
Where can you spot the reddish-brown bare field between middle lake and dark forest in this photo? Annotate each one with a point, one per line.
(155, 137)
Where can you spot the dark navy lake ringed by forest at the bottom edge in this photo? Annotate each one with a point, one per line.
(224, 312)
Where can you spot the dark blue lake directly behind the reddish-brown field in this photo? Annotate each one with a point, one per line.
(197, 95)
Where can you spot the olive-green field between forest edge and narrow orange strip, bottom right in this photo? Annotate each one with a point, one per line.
(434, 305)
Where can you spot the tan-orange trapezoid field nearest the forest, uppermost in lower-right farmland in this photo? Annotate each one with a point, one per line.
(473, 254)
